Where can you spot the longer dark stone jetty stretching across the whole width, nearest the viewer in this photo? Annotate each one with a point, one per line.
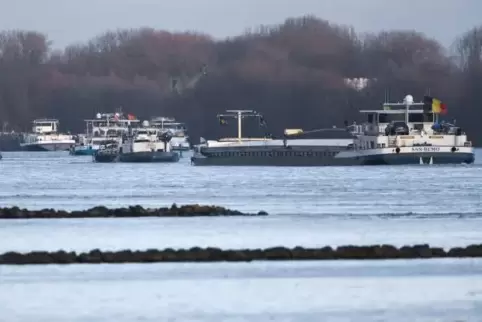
(196, 254)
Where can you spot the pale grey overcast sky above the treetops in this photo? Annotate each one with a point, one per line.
(71, 21)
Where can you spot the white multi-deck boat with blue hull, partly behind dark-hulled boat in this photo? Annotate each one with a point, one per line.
(107, 126)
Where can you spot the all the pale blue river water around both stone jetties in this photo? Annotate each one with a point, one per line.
(440, 205)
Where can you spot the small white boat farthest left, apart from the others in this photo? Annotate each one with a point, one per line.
(45, 137)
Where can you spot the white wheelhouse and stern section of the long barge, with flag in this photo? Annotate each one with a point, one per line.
(409, 132)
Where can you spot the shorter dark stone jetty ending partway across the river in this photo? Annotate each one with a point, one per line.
(133, 211)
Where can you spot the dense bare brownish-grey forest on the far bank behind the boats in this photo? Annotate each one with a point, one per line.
(294, 73)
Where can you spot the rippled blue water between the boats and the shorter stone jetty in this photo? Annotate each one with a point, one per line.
(36, 180)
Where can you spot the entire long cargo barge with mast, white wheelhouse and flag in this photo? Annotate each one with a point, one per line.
(399, 133)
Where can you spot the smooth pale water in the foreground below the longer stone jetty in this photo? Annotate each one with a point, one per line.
(430, 290)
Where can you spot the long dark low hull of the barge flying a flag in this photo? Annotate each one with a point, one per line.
(302, 158)
